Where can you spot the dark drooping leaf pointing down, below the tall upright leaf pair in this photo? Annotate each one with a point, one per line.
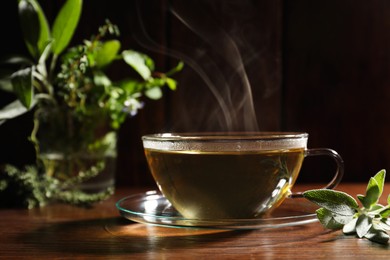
(23, 87)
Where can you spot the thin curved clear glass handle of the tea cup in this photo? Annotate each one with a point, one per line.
(340, 167)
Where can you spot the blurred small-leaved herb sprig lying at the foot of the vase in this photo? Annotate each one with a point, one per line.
(30, 188)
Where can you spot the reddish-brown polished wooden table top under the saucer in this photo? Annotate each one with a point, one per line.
(63, 231)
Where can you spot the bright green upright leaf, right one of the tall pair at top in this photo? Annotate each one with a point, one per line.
(65, 24)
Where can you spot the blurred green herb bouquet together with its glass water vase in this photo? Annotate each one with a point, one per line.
(77, 107)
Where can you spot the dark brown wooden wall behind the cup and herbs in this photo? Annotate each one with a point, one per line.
(320, 67)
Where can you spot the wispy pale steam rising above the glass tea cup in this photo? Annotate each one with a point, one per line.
(216, 57)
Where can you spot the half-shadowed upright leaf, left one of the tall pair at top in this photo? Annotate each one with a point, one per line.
(34, 25)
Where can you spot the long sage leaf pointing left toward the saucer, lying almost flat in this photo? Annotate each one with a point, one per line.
(334, 201)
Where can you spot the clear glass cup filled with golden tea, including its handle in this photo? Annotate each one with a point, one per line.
(229, 176)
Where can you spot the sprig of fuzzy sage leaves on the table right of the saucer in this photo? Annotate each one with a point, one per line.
(340, 210)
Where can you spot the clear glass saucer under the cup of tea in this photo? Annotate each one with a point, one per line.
(153, 208)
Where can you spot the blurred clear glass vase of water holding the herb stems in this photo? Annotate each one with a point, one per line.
(78, 149)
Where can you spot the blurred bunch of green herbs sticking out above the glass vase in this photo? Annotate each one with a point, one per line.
(74, 79)
